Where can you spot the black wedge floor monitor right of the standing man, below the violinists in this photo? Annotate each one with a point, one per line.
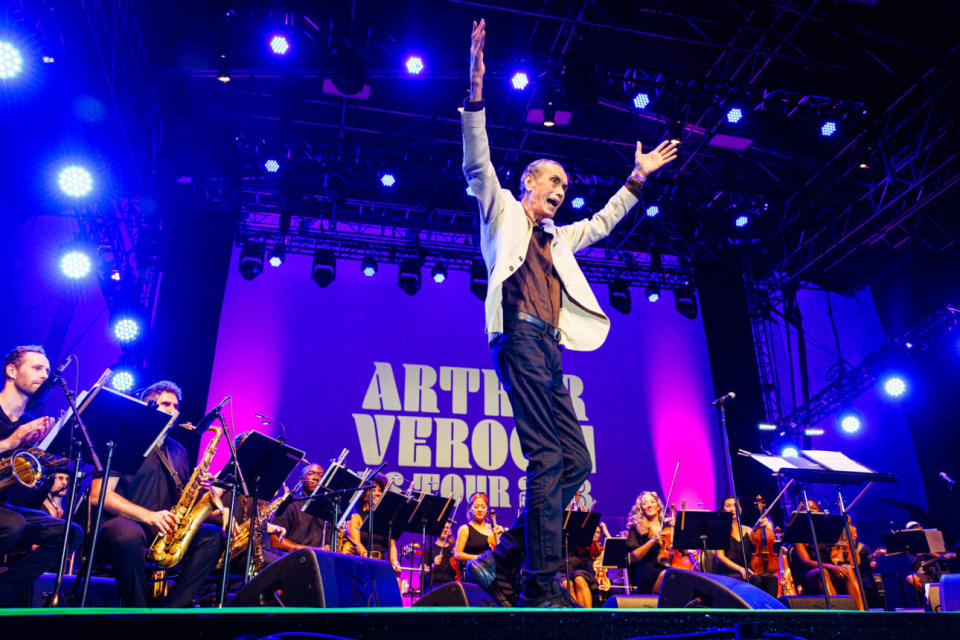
(681, 589)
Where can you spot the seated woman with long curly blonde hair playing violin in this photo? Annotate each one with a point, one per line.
(643, 543)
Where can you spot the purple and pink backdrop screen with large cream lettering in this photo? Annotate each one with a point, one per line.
(408, 380)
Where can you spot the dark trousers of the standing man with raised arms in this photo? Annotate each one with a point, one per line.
(527, 361)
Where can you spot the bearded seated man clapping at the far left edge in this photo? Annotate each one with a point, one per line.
(24, 370)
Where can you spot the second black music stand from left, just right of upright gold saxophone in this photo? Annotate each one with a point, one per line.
(265, 464)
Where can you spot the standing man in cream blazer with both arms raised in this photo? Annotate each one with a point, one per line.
(538, 302)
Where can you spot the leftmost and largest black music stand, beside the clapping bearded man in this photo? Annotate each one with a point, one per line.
(123, 431)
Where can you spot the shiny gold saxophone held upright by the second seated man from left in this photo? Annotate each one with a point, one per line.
(168, 550)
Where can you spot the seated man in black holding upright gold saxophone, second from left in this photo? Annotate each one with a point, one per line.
(140, 504)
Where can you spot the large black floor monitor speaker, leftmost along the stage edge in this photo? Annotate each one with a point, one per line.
(312, 578)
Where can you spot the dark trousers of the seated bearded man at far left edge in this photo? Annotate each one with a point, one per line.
(21, 528)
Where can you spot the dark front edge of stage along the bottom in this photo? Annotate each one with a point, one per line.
(489, 624)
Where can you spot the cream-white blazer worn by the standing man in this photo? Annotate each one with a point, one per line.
(505, 233)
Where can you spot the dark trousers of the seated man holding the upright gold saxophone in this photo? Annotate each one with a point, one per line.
(123, 543)
